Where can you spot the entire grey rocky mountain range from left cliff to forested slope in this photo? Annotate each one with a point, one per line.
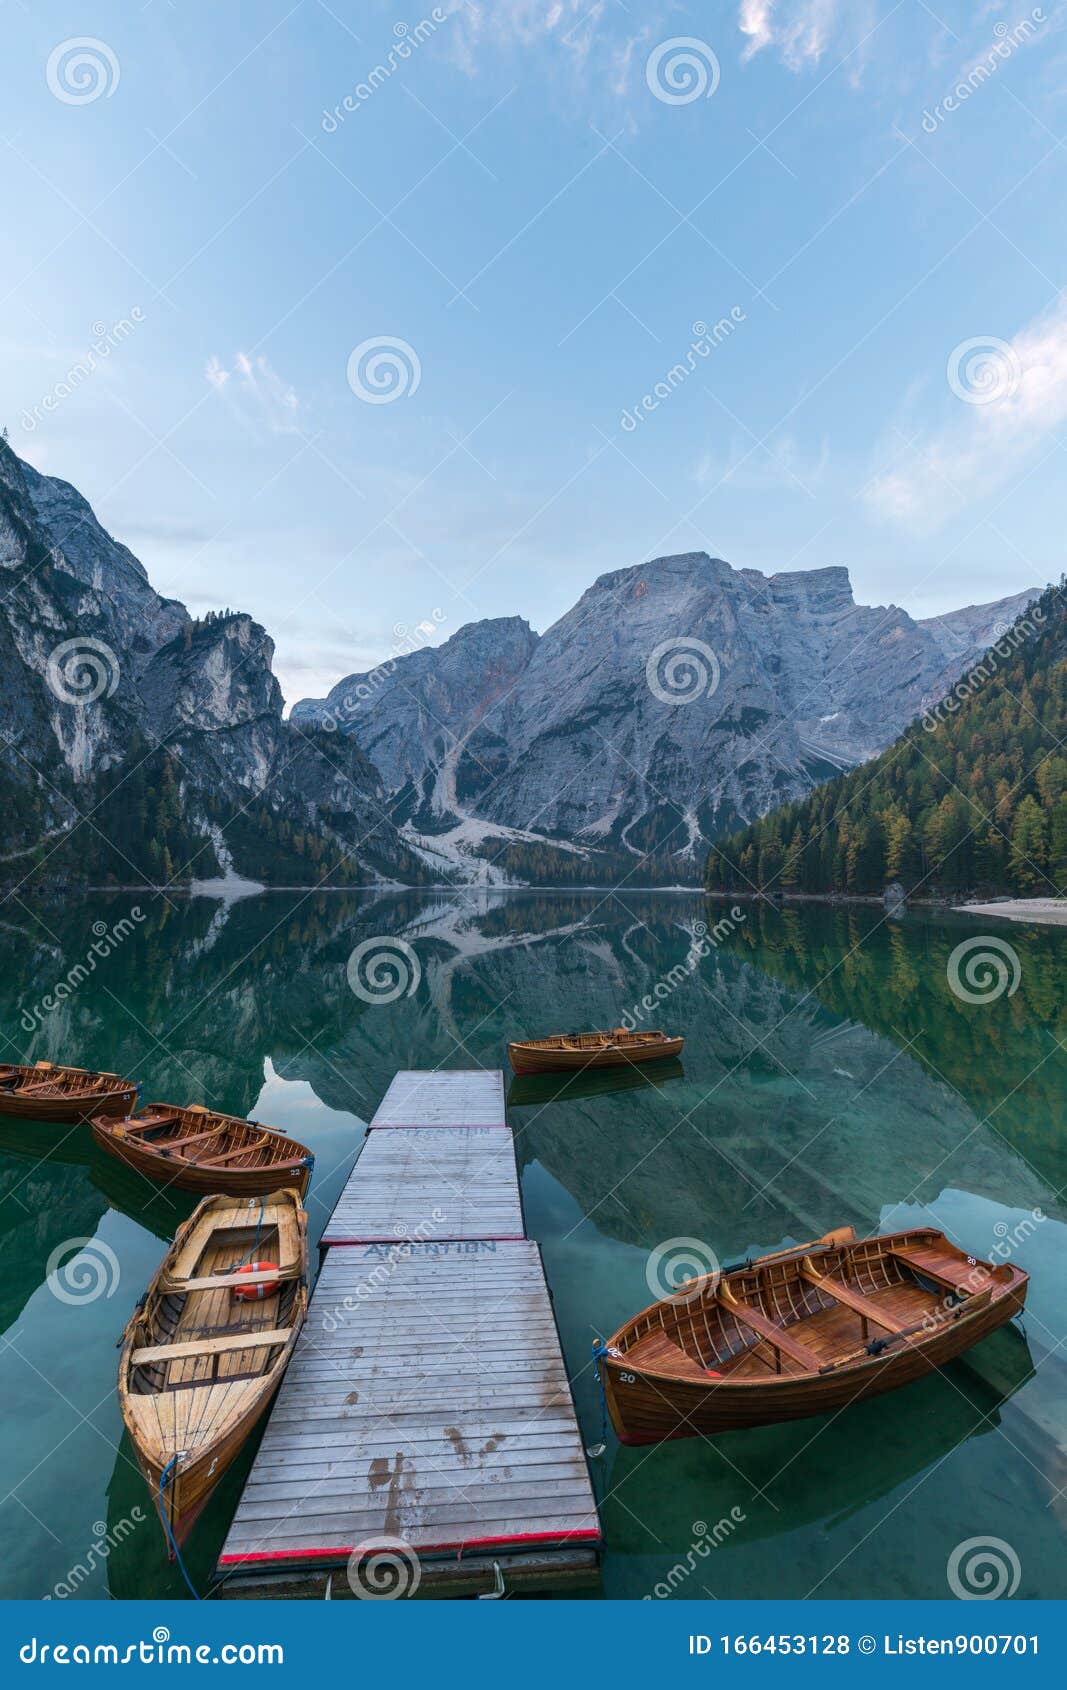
(674, 702)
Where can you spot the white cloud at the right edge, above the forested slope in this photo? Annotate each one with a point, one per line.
(1010, 398)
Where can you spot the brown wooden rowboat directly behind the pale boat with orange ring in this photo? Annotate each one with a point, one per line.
(197, 1150)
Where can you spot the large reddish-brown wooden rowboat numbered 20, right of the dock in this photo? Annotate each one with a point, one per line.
(802, 1333)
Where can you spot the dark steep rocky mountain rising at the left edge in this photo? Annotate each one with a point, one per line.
(163, 731)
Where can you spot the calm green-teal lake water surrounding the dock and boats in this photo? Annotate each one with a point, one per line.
(836, 1072)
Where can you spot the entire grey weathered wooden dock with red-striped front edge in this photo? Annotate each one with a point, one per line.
(427, 1412)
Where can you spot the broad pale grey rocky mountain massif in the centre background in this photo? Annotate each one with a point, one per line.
(677, 701)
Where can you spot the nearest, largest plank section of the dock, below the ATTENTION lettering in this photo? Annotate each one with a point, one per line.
(395, 1424)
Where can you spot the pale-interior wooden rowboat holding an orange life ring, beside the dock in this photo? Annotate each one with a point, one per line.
(200, 1360)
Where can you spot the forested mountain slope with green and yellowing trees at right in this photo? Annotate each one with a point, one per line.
(971, 799)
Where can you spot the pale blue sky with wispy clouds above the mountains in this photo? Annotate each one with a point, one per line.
(515, 209)
